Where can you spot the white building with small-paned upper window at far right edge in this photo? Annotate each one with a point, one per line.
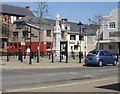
(110, 32)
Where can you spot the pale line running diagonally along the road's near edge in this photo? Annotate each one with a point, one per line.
(27, 89)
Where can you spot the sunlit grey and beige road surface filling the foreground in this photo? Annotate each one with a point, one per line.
(60, 79)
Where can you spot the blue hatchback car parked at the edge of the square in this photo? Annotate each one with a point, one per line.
(100, 57)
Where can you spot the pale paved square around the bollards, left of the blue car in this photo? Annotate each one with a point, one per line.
(14, 63)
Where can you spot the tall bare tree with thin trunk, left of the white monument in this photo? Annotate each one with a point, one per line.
(41, 11)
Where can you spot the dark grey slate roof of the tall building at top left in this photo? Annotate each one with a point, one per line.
(15, 10)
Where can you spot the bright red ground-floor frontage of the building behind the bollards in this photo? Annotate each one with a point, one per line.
(13, 47)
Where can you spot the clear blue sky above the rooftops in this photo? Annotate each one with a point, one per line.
(74, 11)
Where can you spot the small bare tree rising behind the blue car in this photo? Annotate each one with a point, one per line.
(96, 21)
